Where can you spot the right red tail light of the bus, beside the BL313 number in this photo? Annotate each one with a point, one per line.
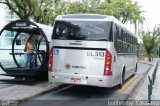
(108, 64)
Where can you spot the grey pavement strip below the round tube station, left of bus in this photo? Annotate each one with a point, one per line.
(20, 92)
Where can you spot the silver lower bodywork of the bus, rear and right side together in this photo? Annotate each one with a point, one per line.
(90, 69)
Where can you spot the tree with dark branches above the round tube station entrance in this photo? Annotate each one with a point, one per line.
(41, 11)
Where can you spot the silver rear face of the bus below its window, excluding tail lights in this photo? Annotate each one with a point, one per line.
(84, 64)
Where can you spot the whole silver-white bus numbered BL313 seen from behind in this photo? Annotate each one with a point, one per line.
(91, 49)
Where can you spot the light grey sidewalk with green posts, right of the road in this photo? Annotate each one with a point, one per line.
(141, 92)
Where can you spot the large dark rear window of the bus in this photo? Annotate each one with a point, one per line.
(82, 30)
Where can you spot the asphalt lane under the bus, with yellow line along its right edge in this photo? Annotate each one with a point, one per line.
(88, 96)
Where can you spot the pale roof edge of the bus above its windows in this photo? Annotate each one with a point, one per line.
(93, 17)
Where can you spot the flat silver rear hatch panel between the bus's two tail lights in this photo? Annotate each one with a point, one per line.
(87, 62)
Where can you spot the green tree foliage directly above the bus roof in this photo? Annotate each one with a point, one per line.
(123, 10)
